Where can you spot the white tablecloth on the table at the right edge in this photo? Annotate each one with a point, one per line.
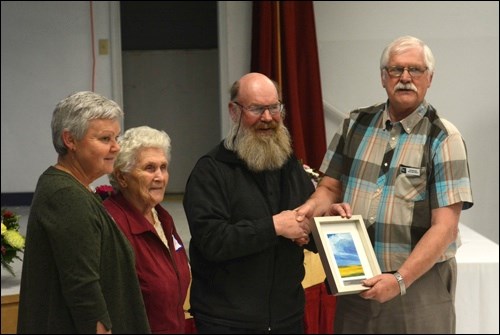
(476, 301)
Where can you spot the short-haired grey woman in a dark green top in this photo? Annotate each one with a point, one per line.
(78, 271)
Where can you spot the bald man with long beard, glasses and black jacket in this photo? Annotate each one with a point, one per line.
(246, 258)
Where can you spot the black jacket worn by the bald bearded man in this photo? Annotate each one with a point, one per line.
(244, 275)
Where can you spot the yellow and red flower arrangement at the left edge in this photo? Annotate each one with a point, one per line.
(12, 240)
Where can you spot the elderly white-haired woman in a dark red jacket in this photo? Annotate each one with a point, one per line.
(140, 178)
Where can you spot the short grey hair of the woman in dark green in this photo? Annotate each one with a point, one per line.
(74, 113)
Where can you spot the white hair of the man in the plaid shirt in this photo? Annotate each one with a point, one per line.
(404, 43)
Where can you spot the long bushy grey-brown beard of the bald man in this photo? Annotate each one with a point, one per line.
(262, 153)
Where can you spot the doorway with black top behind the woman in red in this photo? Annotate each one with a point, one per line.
(171, 77)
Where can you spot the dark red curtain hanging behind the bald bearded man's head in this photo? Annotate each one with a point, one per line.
(284, 48)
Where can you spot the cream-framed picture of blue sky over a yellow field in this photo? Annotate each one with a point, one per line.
(346, 252)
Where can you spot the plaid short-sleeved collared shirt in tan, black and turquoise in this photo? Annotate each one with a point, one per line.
(394, 174)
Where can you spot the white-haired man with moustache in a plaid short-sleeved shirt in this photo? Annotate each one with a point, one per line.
(405, 170)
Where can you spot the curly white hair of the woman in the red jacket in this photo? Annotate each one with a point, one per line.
(134, 140)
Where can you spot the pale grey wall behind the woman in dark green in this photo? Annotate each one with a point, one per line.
(46, 55)
